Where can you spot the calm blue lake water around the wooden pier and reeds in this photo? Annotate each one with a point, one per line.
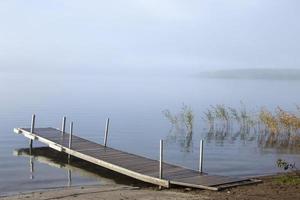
(134, 105)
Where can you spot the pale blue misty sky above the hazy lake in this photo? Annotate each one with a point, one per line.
(148, 35)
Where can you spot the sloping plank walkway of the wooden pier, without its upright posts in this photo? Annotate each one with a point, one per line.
(132, 165)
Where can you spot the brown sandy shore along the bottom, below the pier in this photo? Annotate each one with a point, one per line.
(269, 189)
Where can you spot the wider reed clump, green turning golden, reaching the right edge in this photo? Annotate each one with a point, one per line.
(279, 128)
